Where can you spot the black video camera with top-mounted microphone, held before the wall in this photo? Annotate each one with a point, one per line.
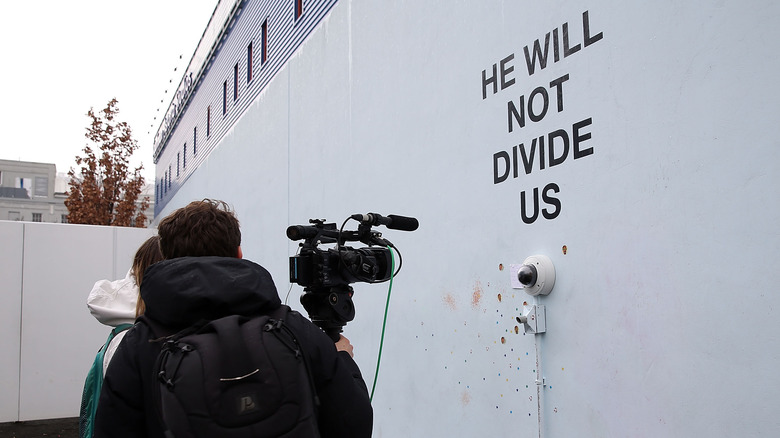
(326, 274)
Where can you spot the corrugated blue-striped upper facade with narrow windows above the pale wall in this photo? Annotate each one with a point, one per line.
(245, 45)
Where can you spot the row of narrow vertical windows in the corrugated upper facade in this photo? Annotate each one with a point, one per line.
(162, 187)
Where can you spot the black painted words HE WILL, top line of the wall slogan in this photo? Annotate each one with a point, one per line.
(539, 55)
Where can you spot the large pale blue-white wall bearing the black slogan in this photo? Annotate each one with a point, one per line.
(663, 320)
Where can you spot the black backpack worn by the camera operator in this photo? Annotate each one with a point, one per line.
(236, 377)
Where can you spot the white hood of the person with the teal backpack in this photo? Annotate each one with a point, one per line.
(113, 302)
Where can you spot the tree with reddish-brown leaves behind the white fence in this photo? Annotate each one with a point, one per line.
(106, 192)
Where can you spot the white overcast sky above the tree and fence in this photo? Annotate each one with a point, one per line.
(61, 58)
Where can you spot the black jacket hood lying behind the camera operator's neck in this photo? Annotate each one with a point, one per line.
(182, 291)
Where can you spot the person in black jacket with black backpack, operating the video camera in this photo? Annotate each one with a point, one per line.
(217, 354)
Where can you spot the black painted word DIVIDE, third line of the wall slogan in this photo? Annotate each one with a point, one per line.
(558, 144)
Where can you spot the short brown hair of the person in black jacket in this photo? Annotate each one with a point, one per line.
(202, 228)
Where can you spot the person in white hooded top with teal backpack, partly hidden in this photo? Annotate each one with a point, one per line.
(116, 304)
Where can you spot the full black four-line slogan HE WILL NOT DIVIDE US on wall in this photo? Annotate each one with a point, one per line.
(547, 150)
